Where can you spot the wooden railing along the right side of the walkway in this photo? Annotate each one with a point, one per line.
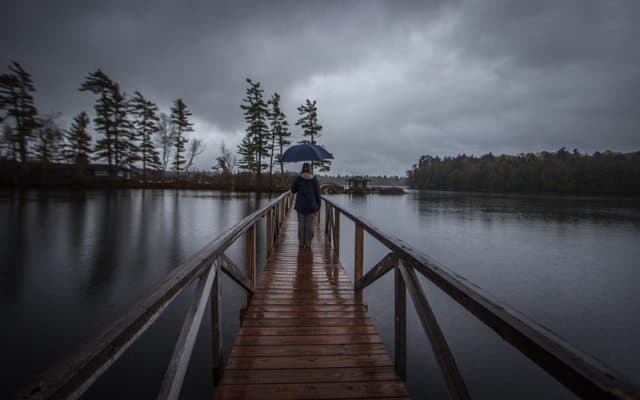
(579, 372)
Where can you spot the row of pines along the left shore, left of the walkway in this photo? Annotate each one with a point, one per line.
(131, 131)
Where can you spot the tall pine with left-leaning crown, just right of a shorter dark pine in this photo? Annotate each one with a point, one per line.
(101, 85)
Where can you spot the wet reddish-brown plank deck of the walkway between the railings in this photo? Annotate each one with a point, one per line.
(306, 333)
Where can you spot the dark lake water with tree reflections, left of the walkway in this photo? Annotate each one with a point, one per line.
(70, 261)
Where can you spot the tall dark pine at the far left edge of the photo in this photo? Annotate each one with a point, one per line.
(16, 100)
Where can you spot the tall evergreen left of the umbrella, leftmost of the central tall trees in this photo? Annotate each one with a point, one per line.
(254, 148)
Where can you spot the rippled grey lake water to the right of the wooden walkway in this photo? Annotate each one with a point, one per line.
(567, 263)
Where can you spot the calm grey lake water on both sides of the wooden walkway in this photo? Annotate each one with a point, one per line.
(71, 261)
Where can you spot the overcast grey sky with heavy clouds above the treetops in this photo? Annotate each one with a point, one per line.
(393, 80)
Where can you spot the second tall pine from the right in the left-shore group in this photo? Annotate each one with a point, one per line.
(146, 126)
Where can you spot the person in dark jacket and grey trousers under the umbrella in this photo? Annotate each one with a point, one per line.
(307, 187)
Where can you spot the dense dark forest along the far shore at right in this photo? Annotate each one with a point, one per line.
(562, 172)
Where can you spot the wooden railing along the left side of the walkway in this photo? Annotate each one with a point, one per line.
(73, 376)
